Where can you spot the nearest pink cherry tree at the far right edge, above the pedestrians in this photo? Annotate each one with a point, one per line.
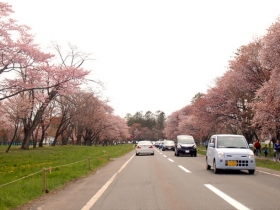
(266, 103)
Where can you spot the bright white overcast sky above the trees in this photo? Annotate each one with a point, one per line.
(150, 54)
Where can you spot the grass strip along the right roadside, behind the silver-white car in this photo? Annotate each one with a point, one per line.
(264, 163)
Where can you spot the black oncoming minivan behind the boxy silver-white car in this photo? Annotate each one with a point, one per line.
(186, 145)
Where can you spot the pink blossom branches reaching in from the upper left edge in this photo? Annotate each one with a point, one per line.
(18, 52)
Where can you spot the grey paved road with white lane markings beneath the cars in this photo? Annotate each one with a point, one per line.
(164, 181)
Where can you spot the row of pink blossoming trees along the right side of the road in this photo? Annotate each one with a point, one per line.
(245, 100)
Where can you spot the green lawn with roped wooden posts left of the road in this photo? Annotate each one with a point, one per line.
(21, 171)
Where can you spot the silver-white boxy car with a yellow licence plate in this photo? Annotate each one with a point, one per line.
(229, 152)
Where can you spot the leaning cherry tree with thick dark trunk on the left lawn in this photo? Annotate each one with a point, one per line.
(63, 80)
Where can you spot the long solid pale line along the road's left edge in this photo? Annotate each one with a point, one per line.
(92, 201)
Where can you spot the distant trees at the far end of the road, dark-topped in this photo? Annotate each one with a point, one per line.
(149, 126)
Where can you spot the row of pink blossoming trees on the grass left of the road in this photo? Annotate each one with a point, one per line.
(40, 92)
